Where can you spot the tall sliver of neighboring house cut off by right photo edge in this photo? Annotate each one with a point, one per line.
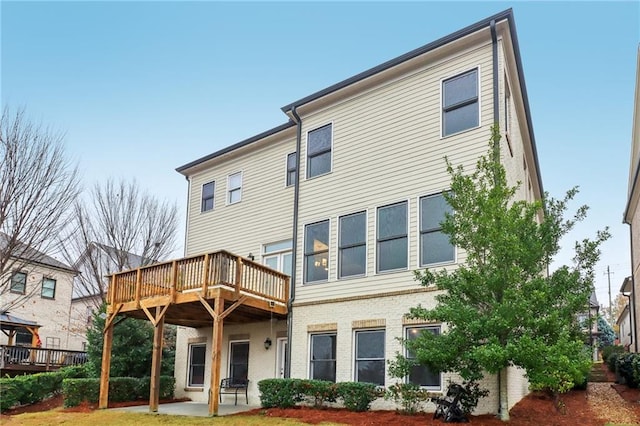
(632, 213)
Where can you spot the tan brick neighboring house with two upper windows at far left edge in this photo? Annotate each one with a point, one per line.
(38, 289)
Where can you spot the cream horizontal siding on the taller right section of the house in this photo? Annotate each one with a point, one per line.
(387, 148)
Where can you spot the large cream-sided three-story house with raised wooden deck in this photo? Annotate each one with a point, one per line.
(345, 198)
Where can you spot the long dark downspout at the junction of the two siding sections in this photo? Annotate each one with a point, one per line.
(294, 248)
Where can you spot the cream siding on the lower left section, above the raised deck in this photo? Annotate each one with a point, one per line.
(265, 213)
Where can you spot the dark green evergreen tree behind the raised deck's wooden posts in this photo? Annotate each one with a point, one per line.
(132, 347)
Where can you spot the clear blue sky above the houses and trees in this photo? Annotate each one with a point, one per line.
(141, 88)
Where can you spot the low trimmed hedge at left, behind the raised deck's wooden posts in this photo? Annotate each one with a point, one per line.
(120, 389)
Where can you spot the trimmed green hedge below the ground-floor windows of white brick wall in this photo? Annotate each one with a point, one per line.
(287, 393)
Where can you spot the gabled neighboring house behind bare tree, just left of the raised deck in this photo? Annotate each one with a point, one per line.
(93, 266)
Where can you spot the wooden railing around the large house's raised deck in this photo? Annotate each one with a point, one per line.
(199, 273)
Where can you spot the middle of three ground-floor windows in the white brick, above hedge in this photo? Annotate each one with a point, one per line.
(370, 356)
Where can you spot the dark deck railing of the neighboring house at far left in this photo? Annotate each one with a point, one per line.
(16, 357)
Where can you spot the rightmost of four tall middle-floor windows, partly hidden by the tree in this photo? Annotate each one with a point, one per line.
(435, 246)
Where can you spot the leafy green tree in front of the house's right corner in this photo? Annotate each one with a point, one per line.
(501, 308)
